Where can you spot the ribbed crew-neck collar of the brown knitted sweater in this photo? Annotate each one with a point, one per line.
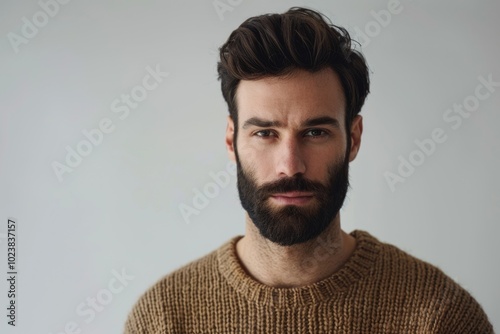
(356, 267)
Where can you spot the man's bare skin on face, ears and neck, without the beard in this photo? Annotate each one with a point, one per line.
(287, 147)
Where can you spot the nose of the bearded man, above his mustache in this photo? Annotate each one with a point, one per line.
(290, 158)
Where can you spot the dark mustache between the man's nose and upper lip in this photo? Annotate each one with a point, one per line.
(296, 183)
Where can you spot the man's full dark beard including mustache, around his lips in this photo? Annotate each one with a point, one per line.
(289, 225)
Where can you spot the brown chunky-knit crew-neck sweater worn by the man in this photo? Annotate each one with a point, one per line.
(380, 289)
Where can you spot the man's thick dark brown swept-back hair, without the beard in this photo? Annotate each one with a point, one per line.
(277, 44)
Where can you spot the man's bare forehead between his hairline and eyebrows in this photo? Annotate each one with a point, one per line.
(292, 99)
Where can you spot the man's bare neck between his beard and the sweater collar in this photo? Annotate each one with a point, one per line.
(297, 265)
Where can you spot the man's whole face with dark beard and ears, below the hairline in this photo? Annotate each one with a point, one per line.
(291, 152)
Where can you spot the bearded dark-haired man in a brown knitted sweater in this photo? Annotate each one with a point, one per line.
(294, 89)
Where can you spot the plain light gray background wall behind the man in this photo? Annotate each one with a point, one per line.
(120, 208)
